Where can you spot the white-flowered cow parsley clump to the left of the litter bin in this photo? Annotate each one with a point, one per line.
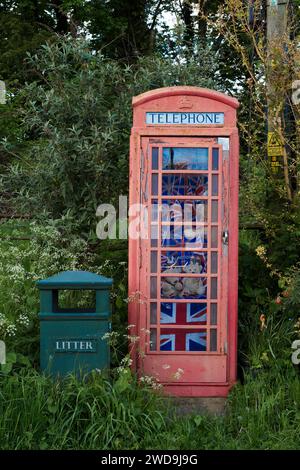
(45, 250)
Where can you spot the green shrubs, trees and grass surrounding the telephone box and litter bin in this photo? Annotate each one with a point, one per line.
(66, 152)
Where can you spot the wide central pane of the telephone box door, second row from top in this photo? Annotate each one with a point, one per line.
(184, 185)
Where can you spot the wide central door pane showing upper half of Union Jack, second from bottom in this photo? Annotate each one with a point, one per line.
(183, 313)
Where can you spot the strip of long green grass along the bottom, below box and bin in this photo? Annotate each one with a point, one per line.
(37, 413)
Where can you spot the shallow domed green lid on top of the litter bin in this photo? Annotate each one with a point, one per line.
(75, 280)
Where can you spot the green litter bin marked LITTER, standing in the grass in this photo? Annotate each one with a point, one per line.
(71, 339)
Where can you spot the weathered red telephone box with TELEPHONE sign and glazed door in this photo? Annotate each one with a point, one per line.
(183, 266)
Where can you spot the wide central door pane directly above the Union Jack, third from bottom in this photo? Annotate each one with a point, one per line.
(173, 287)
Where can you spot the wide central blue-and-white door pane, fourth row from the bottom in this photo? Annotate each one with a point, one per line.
(184, 262)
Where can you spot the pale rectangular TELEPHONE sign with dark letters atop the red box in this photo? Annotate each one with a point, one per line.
(204, 119)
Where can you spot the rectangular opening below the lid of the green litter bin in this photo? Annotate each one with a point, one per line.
(78, 301)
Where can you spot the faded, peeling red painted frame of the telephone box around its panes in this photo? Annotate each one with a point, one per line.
(186, 373)
